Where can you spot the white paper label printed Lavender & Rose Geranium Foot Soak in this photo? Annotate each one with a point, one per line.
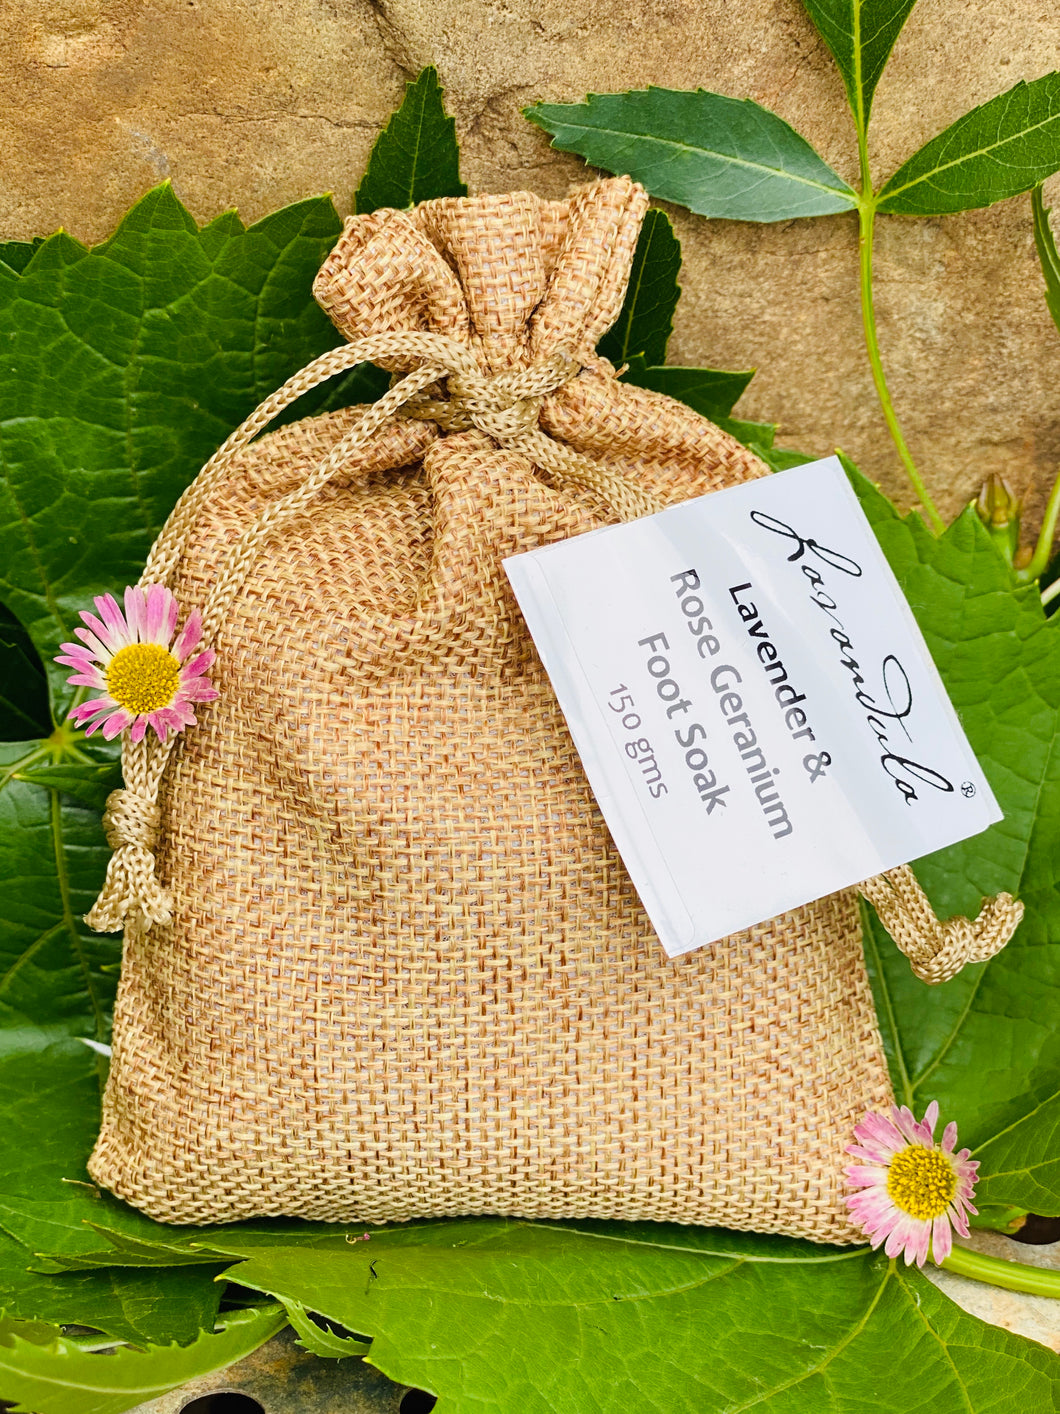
(754, 705)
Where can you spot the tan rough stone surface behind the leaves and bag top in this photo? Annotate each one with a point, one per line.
(259, 103)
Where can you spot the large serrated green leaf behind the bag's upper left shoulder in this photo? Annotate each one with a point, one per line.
(122, 371)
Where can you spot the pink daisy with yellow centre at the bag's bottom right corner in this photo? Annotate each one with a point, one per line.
(912, 1191)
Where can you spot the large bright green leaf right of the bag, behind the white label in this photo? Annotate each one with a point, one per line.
(986, 1044)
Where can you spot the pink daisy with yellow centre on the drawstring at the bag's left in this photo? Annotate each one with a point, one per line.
(146, 677)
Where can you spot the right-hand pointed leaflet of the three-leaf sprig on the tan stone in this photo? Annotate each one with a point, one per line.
(999, 151)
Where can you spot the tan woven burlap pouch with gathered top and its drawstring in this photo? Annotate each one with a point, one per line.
(382, 958)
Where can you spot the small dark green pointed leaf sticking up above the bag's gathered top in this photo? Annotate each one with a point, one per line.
(416, 158)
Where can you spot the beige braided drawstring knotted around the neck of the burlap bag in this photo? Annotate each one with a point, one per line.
(505, 408)
